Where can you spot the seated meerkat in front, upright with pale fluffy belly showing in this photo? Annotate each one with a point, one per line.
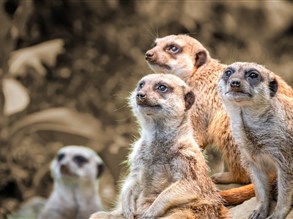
(168, 175)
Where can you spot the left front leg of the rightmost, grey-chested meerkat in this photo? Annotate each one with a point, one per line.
(260, 180)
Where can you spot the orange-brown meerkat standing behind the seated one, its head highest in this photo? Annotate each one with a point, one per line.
(187, 58)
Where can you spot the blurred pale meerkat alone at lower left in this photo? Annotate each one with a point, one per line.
(75, 170)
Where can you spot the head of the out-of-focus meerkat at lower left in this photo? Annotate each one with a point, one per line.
(76, 164)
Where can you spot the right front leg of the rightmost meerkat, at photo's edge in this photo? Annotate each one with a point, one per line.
(285, 193)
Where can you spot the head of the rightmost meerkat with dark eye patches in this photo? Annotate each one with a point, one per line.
(247, 83)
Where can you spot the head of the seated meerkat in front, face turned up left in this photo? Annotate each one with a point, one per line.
(161, 96)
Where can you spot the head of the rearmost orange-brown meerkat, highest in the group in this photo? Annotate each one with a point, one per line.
(181, 55)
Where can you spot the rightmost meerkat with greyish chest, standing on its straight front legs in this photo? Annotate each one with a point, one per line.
(262, 124)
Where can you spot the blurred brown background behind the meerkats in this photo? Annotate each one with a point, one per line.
(68, 66)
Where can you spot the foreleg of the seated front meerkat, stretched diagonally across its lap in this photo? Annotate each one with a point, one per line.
(178, 193)
